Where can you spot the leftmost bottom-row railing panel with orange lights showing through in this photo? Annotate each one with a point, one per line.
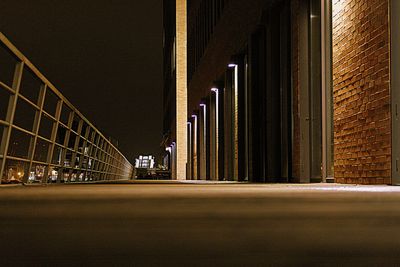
(15, 172)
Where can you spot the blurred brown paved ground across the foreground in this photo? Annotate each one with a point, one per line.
(200, 225)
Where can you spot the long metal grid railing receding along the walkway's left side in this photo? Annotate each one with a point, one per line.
(44, 138)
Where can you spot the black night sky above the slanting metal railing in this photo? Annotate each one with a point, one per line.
(105, 56)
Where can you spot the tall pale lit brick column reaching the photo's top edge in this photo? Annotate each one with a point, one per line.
(181, 88)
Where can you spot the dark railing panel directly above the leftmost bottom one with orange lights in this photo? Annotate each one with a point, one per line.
(19, 144)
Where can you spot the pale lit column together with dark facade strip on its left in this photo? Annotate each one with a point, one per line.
(175, 86)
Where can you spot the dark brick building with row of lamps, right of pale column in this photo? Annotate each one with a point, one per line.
(290, 90)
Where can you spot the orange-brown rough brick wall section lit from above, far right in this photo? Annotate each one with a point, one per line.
(362, 129)
